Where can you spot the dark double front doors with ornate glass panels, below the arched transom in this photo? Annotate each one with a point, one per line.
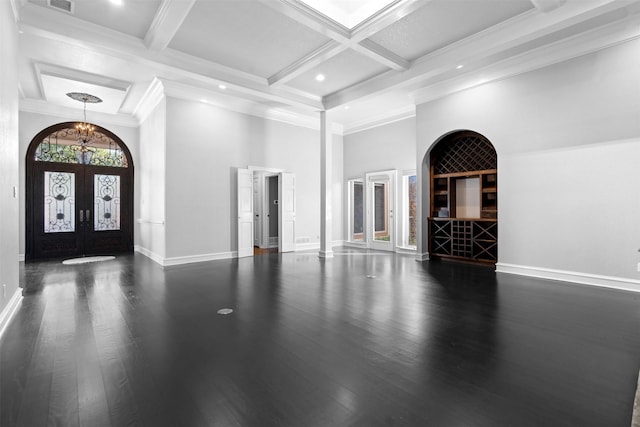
(79, 210)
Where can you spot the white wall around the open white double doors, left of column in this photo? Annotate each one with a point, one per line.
(205, 146)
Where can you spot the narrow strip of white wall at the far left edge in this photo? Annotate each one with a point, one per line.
(8, 155)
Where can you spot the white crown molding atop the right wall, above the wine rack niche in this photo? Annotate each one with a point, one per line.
(566, 49)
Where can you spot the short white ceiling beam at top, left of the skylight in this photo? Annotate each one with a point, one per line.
(167, 22)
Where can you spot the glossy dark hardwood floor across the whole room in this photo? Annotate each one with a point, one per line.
(315, 342)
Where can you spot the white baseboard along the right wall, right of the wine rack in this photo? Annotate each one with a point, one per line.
(570, 276)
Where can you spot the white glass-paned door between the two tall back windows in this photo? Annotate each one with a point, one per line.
(380, 211)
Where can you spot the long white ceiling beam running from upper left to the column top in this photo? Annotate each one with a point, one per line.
(105, 45)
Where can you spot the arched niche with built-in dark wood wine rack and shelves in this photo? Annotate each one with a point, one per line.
(463, 214)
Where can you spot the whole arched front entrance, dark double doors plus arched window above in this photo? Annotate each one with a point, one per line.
(79, 196)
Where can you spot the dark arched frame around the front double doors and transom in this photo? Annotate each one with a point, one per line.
(31, 168)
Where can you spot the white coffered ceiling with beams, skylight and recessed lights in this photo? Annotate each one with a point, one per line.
(266, 56)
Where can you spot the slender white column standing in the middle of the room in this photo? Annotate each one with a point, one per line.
(326, 174)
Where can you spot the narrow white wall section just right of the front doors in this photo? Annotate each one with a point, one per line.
(150, 176)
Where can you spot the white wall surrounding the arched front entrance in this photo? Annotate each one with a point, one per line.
(33, 123)
